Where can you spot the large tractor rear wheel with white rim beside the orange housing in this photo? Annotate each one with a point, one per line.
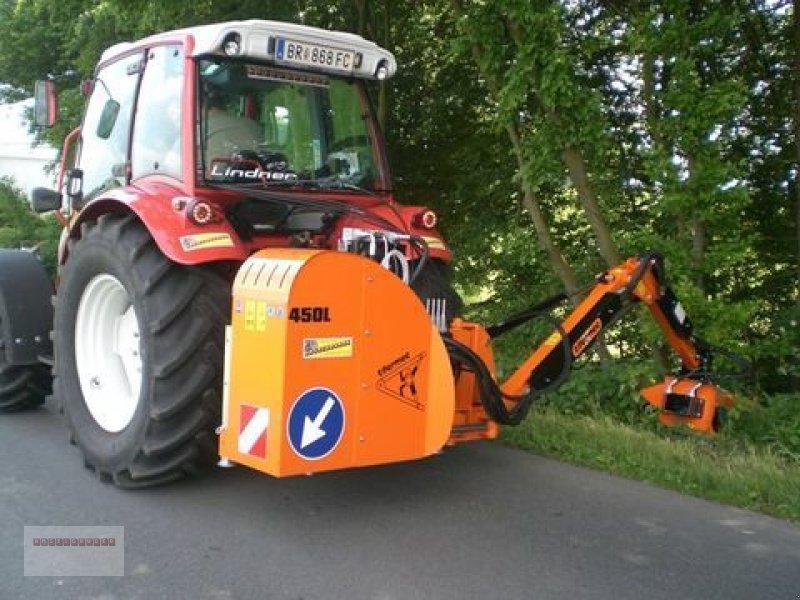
(138, 355)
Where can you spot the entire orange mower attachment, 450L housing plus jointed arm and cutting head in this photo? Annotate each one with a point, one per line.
(333, 362)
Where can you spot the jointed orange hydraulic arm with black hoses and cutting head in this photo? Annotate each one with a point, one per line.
(690, 397)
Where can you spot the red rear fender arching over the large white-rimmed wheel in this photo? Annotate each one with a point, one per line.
(162, 210)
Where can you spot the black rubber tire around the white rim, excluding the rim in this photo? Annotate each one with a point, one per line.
(182, 312)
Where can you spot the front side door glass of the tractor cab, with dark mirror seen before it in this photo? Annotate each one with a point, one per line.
(106, 127)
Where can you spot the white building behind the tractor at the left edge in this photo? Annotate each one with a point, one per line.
(25, 163)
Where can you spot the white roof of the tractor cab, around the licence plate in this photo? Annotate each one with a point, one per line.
(258, 40)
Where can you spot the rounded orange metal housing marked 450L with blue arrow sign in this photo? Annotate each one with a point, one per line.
(331, 362)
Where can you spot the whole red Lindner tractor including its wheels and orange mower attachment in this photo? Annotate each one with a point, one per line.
(245, 157)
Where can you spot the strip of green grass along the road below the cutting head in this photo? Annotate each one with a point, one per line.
(746, 476)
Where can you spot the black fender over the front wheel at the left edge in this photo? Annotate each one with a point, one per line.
(26, 309)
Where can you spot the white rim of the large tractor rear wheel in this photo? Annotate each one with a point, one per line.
(108, 353)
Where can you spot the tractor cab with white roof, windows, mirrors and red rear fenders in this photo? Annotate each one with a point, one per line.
(225, 139)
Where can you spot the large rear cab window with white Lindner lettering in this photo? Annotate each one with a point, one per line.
(261, 124)
